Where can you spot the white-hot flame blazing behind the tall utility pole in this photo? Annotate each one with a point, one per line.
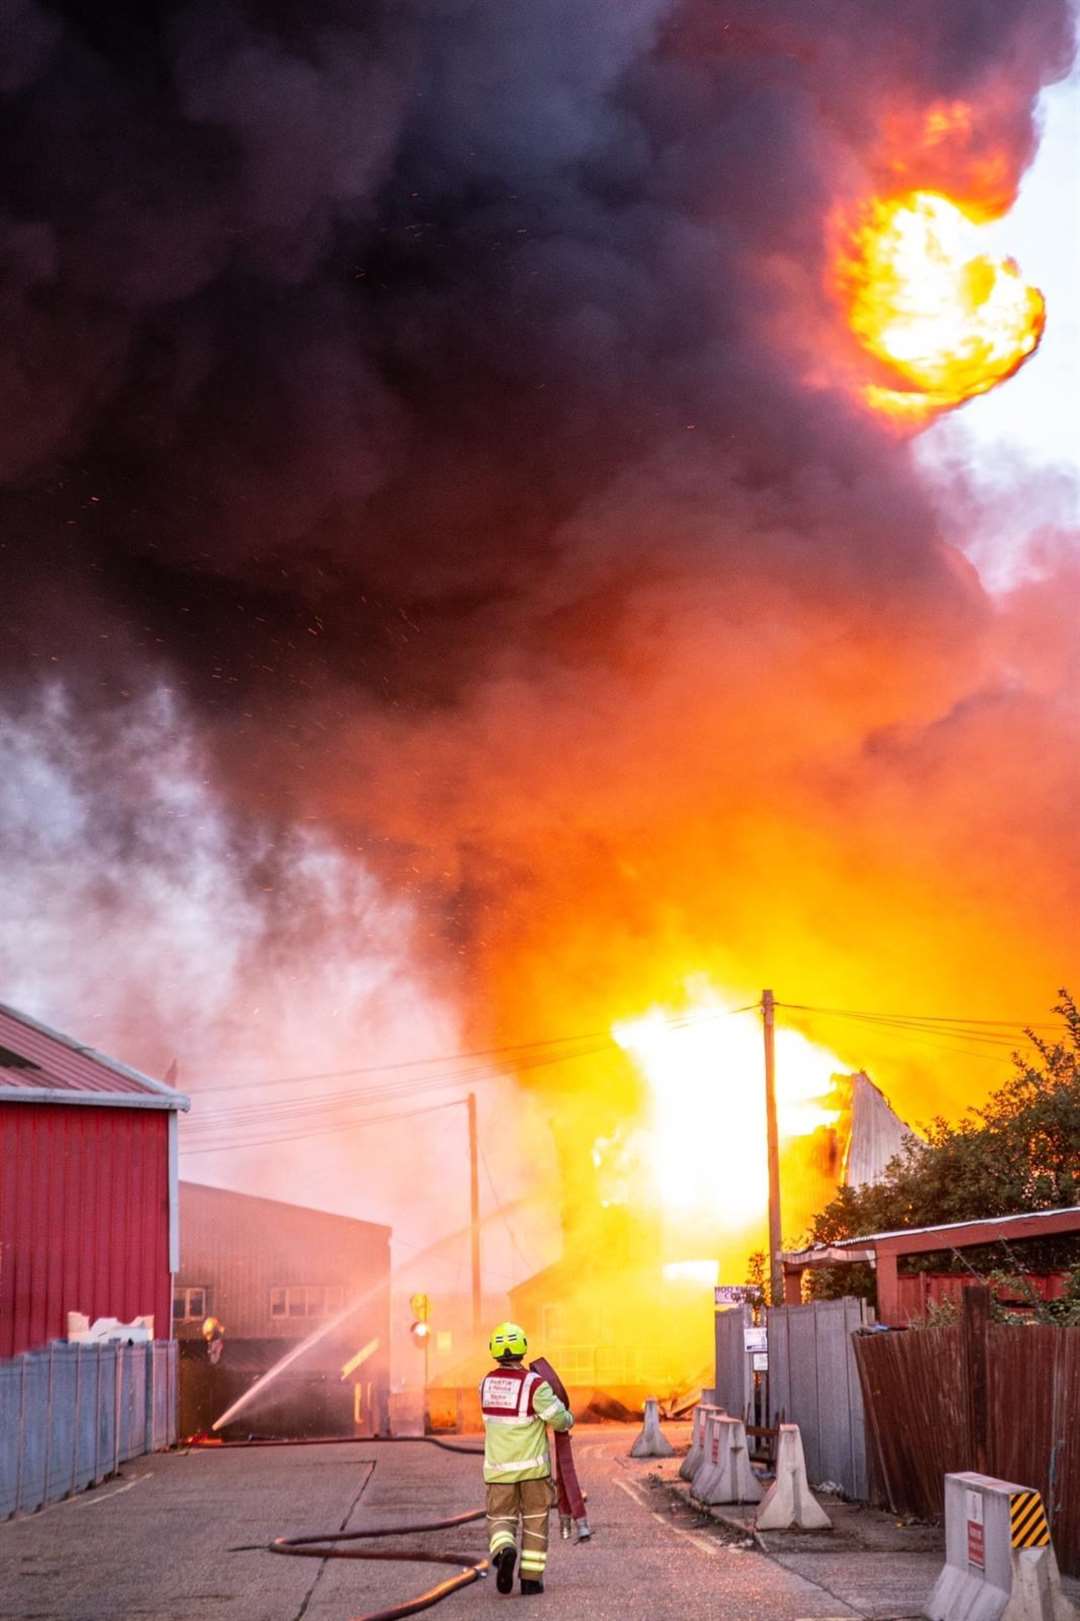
(708, 1121)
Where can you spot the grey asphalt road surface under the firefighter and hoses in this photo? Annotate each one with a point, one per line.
(161, 1546)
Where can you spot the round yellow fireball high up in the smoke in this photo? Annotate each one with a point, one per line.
(945, 319)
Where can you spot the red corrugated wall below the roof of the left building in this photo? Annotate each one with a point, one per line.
(84, 1218)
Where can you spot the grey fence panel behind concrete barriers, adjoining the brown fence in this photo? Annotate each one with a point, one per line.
(813, 1382)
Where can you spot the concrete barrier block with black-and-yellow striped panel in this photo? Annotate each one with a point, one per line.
(1000, 1560)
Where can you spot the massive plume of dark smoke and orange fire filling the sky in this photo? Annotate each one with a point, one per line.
(463, 520)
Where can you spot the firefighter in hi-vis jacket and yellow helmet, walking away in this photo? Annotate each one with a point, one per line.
(518, 1406)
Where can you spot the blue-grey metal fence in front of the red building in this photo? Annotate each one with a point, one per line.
(72, 1414)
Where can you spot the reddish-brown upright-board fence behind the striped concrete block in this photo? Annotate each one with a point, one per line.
(998, 1398)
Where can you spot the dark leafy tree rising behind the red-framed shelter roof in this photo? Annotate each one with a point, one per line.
(1021, 1152)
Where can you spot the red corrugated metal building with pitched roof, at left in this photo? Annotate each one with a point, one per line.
(88, 1187)
